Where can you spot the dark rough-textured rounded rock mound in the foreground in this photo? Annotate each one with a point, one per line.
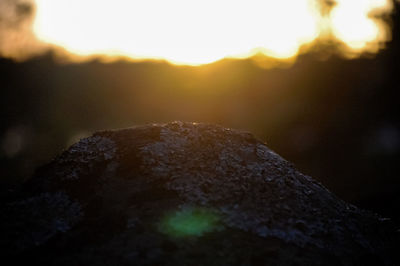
(185, 194)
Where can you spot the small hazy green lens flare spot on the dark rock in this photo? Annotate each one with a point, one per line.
(189, 222)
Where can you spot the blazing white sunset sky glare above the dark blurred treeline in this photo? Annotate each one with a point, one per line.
(196, 32)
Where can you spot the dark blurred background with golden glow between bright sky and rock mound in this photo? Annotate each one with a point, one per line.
(335, 118)
